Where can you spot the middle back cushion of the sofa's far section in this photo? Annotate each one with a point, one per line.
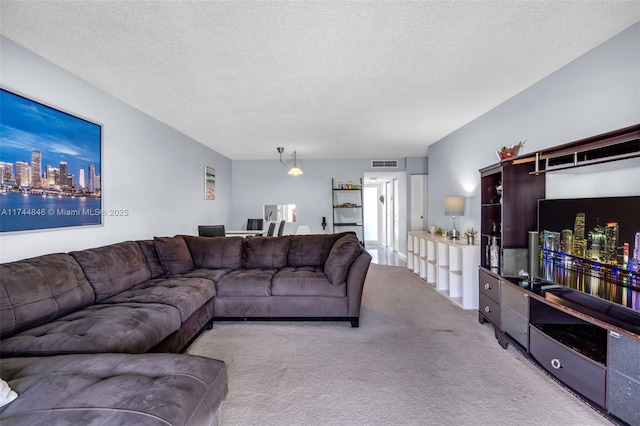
(266, 252)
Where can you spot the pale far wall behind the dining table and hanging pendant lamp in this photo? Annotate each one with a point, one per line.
(256, 183)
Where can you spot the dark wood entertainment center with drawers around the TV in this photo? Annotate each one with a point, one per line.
(588, 343)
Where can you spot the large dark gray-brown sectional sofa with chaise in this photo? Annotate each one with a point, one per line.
(78, 330)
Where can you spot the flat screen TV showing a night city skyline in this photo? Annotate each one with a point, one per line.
(593, 245)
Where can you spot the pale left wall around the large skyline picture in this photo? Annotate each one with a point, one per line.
(147, 167)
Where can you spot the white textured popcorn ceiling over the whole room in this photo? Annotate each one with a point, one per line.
(332, 79)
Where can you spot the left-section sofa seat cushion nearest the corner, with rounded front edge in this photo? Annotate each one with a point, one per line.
(185, 294)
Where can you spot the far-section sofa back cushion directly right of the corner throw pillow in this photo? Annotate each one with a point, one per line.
(215, 252)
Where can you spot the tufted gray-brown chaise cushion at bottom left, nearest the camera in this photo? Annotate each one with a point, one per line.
(115, 389)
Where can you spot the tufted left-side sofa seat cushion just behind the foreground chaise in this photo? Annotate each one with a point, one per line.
(125, 327)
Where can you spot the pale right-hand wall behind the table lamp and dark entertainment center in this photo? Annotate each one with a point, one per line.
(594, 94)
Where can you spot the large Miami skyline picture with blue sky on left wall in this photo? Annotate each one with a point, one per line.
(50, 167)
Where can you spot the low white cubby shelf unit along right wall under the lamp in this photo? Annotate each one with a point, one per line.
(447, 265)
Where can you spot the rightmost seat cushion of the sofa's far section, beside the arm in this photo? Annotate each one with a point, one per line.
(305, 281)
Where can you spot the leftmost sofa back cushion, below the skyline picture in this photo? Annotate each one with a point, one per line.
(38, 290)
